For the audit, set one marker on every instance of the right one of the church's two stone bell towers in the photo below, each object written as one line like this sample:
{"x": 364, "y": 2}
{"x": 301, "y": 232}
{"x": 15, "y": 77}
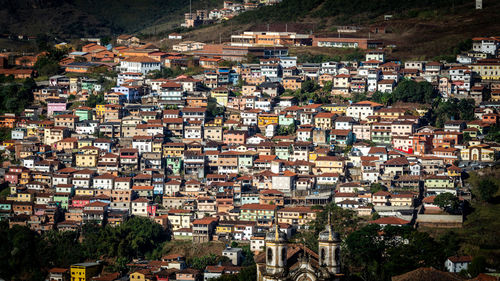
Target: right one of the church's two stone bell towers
{"x": 329, "y": 249}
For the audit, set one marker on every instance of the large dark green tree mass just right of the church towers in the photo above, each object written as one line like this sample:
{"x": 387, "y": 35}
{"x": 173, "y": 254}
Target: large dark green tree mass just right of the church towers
{"x": 373, "y": 254}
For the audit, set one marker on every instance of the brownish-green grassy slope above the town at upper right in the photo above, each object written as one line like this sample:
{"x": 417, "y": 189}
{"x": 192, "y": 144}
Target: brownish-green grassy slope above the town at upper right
{"x": 422, "y": 32}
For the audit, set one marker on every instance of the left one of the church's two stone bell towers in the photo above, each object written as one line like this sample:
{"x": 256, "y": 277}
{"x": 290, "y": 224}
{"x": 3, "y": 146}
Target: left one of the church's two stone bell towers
{"x": 275, "y": 253}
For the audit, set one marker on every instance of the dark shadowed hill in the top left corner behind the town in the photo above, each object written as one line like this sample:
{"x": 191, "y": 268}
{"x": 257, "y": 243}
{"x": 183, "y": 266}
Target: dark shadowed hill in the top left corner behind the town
{"x": 79, "y": 18}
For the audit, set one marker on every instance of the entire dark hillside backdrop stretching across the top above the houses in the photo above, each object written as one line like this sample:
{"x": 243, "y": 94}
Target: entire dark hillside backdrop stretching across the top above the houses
{"x": 420, "y": 29}
